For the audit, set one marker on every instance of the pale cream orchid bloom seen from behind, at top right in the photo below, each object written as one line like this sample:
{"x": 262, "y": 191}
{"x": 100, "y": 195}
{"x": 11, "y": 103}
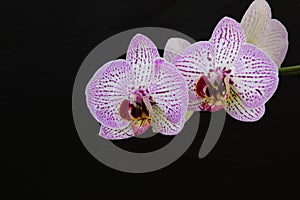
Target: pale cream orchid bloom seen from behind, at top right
{"x": 264, "y": 32}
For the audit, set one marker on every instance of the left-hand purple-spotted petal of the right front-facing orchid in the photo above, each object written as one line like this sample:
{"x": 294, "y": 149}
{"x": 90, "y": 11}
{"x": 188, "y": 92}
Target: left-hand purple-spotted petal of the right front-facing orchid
{"x": 193, "y": 62}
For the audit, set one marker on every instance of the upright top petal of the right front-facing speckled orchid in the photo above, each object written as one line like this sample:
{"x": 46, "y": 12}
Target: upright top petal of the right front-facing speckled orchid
{"x": 227, "y": 38}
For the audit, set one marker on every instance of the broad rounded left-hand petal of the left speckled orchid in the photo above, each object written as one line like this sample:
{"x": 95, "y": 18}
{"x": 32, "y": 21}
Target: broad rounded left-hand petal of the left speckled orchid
{"x": 109, "y": 86}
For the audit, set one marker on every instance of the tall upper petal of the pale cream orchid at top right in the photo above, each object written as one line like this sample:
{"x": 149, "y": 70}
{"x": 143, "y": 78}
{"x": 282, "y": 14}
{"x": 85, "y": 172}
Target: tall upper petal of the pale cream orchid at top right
{"x": 256, "y": 20}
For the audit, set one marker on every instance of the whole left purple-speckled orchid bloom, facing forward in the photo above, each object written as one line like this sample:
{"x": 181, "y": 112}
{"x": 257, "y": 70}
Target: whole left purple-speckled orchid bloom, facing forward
{"x": 128, "y": 96}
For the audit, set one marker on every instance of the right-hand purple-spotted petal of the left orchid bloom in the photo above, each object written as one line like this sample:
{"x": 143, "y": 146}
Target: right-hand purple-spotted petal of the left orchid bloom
{"x": 169, "y": 90}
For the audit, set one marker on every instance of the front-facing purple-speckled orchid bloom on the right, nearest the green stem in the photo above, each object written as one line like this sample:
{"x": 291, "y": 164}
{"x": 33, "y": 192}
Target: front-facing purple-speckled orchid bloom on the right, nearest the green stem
{"x": 226, "y": 72}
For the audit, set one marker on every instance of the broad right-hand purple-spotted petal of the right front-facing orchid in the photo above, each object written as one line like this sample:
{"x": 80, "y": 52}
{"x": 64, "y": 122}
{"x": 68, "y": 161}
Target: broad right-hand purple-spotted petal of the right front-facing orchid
{"x": 256, "y": 76}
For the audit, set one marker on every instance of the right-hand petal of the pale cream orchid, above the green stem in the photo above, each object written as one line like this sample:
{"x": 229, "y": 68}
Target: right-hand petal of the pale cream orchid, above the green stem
{"x": 274, "y": 41}
